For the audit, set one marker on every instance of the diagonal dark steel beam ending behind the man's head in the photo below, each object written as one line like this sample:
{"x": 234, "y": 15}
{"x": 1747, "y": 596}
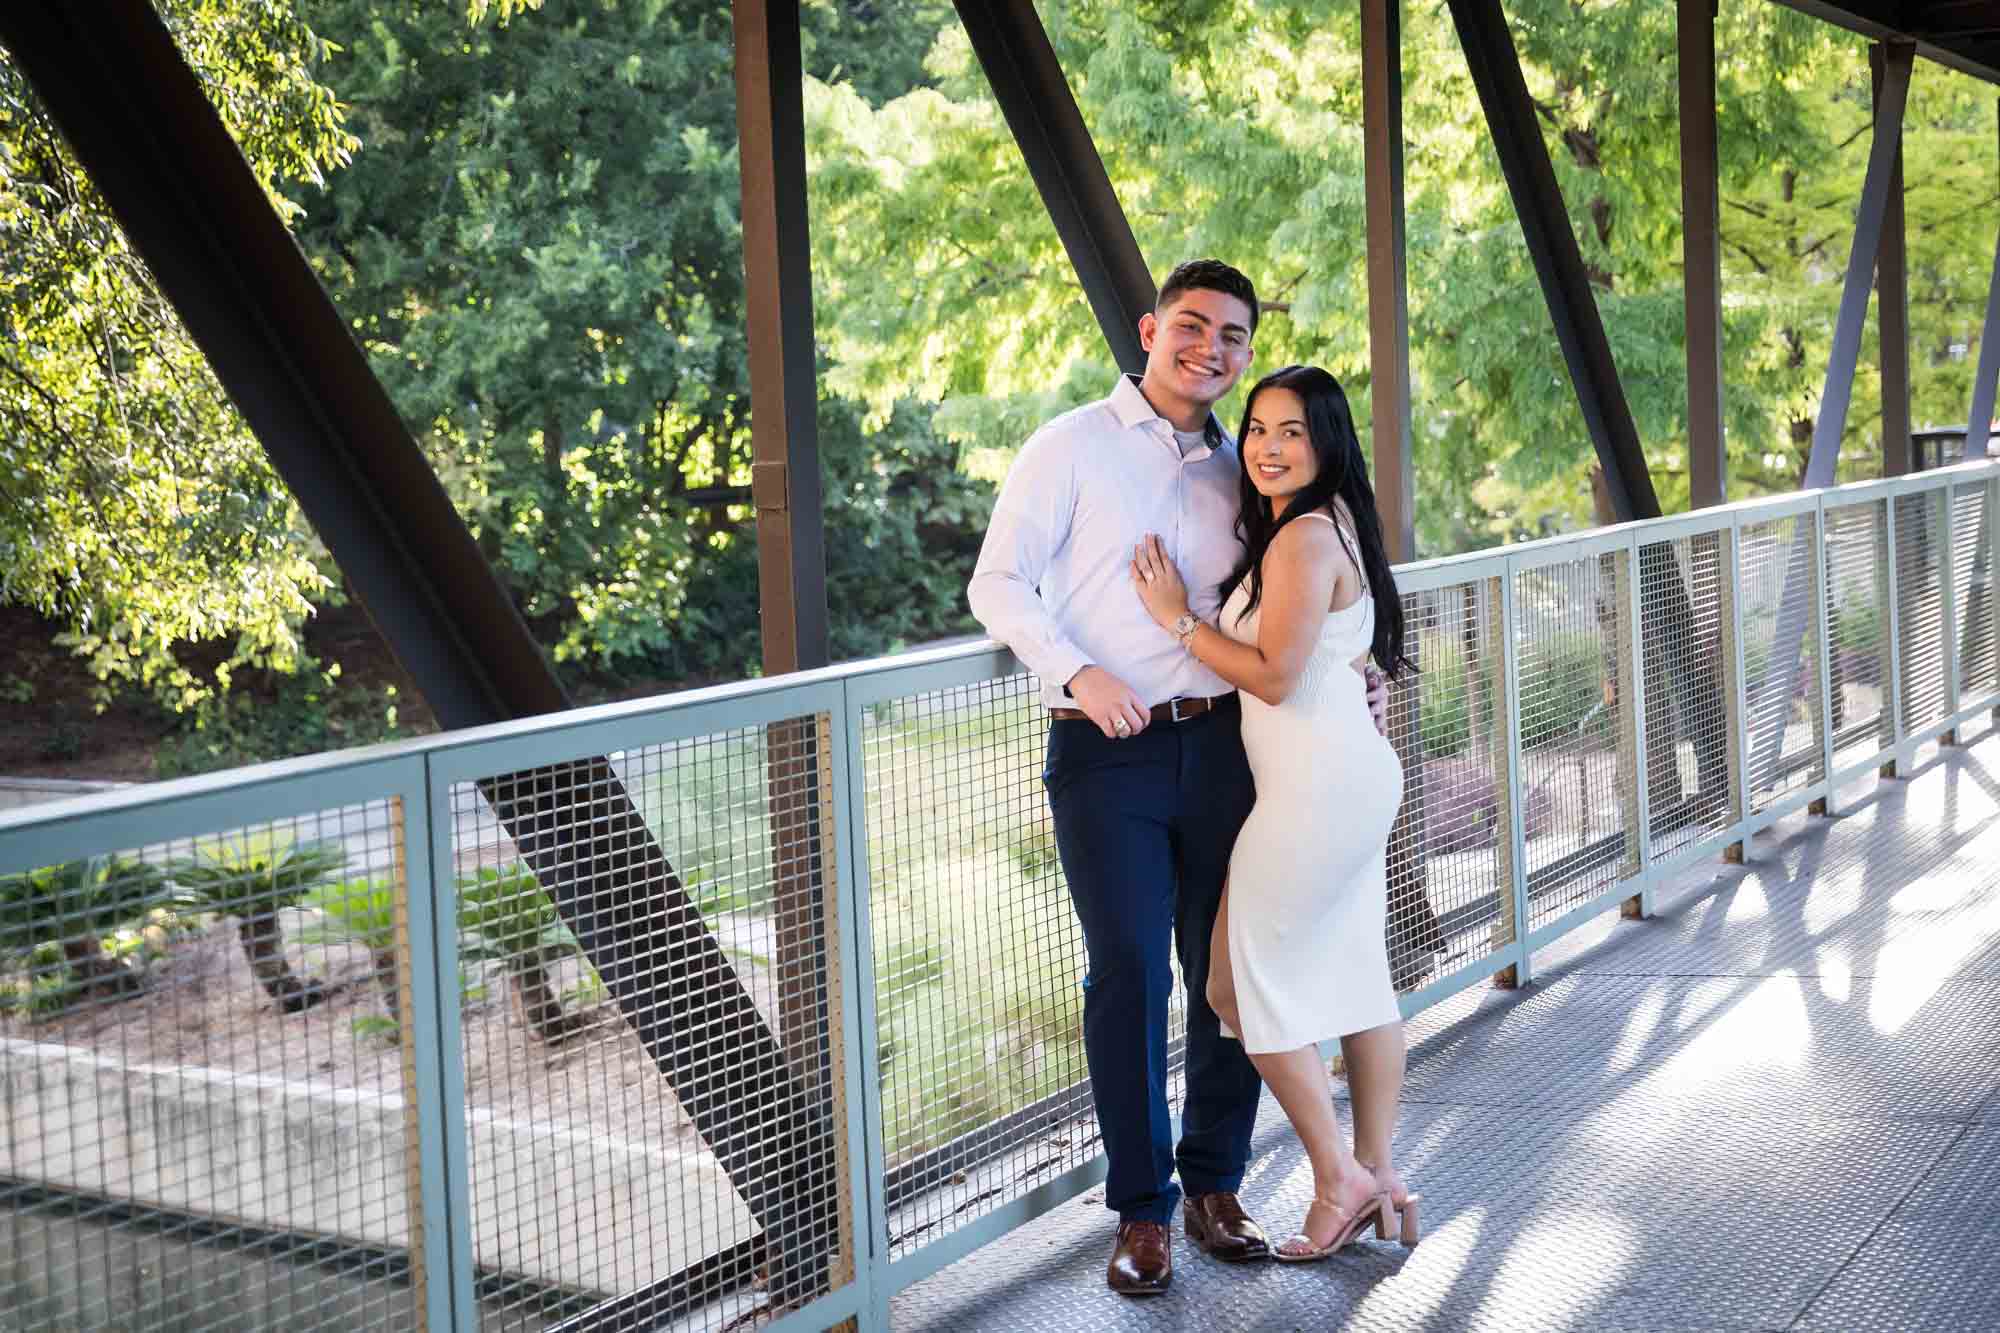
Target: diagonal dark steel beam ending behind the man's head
{"x": 1035, "y": 97}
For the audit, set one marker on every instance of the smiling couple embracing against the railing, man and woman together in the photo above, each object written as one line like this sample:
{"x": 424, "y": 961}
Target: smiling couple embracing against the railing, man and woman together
{"x": 1201, "y": 613}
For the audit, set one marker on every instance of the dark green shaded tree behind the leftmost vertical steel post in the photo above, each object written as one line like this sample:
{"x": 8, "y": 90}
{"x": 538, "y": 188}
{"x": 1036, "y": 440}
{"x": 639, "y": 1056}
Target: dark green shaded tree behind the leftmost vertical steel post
{"x": 539, "y": 245}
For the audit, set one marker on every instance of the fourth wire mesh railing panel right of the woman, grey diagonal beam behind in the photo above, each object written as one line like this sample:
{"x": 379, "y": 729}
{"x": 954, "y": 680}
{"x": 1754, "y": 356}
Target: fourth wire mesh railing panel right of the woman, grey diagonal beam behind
{"x": 1781, "y": 609}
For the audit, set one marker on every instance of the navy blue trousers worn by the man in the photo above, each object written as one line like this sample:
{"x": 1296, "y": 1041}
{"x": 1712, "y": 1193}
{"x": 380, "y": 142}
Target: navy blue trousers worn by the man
{"x": 1145, "y": 832}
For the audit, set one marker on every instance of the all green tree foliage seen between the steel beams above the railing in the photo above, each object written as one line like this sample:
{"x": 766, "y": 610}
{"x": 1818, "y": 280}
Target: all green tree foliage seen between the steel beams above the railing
{"x": 529, "y": 215}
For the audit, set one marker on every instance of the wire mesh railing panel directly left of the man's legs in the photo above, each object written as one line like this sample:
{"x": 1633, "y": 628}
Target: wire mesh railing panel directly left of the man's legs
{"x": 979, "y": 960}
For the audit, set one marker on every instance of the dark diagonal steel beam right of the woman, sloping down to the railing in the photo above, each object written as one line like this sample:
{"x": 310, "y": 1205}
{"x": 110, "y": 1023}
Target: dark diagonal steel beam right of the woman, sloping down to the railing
{"x": 1559, "y": 265}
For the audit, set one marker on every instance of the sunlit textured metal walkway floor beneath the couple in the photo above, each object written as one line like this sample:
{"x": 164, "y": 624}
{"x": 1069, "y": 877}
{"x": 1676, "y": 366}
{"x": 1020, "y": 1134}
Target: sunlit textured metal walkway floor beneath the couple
{"x": 1777, "y": 1106}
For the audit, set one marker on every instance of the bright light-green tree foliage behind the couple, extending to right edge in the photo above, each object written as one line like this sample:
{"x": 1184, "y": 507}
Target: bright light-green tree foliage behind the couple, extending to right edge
{"x": 1233, "y": 127}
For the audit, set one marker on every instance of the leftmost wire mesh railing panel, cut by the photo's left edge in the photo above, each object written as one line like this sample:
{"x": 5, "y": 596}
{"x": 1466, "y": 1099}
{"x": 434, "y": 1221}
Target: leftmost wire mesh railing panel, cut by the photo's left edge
{"x": 211, "y": 1116}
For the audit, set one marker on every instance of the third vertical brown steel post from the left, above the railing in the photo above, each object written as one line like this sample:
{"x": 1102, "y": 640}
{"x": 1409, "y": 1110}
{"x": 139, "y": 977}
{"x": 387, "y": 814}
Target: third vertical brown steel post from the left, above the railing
{"x": 1701, "y": 247}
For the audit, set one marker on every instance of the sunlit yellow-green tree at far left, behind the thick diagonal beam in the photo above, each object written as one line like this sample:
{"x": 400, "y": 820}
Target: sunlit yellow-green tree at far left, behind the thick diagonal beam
{"x": 135, "y": 507}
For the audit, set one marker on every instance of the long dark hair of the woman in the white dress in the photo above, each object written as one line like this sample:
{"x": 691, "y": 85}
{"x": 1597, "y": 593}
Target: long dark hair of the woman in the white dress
{"x": 1343, "y": 475}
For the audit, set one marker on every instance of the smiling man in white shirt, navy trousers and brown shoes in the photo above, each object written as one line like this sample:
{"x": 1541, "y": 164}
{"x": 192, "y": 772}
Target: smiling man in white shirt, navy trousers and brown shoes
{"x": 1147, "y": 776}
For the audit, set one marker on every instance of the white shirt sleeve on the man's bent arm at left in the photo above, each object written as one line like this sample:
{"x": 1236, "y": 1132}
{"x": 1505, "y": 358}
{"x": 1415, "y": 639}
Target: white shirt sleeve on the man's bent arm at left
{"x": 1029, "y": 527}
